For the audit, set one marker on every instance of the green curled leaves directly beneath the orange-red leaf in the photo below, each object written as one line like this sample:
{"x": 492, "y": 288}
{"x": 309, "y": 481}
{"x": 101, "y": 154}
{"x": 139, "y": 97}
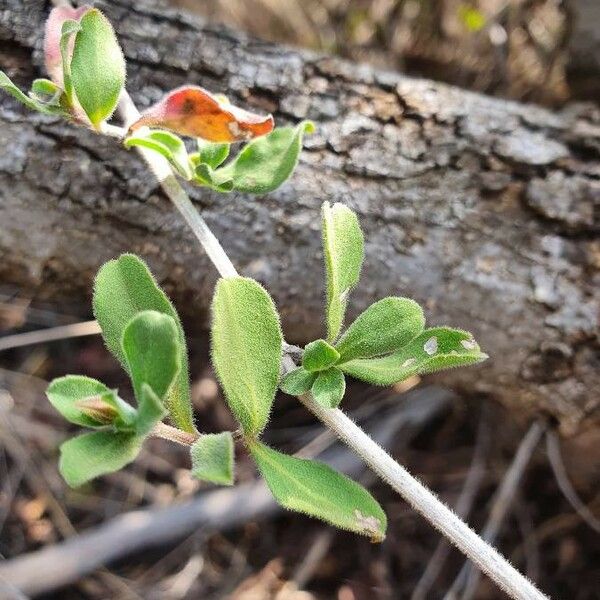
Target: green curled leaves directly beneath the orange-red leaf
{"x": 260, "y": 167}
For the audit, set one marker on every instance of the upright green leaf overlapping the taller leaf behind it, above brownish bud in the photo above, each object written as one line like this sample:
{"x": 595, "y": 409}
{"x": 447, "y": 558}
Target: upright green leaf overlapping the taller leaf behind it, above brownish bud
{"x": 151, "y": 347}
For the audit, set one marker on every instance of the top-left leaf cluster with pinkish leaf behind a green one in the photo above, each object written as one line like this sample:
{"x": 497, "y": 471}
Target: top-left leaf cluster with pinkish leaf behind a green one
{"x": 85, "y": 64}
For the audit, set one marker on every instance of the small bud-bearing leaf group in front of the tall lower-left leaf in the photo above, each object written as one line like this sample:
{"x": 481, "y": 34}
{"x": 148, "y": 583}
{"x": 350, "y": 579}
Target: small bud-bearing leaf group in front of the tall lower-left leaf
{"x": 149, "y": 345}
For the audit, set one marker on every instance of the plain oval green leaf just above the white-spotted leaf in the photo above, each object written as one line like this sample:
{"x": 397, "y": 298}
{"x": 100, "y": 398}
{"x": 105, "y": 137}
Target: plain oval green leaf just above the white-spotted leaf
{"x": 386, "y": 325}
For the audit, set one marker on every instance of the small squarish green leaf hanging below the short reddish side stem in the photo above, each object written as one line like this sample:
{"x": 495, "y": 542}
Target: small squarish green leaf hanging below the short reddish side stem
{"x": 212, "y": 458}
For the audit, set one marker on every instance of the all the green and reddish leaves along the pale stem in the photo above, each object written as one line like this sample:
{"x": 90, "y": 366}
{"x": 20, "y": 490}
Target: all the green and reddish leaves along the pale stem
{"x": 385, "y": 344}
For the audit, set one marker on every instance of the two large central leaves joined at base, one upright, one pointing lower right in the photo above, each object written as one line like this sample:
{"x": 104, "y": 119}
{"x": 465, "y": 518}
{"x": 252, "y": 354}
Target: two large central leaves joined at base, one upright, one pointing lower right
{"x": 246, "y": 353}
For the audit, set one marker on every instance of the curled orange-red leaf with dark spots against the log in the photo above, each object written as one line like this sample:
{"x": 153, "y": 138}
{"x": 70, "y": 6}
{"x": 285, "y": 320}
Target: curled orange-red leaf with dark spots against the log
{"x": 193, "y": 111}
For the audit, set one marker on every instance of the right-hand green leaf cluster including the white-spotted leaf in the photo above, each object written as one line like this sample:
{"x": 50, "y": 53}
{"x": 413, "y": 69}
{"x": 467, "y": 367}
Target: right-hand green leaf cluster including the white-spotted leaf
{"x": 386, "y": 344}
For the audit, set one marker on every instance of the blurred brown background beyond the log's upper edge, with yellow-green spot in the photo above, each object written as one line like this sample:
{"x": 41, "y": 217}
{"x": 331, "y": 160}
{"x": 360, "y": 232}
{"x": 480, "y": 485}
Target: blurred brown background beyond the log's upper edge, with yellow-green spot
{"x": 544, "y": 51}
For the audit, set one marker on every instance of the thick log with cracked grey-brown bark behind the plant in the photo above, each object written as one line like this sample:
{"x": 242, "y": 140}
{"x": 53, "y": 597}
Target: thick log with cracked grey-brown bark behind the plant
{"x": 485, "y": 211}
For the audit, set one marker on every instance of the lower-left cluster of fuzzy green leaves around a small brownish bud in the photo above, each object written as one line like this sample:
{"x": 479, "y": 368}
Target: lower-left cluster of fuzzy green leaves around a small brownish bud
{"x": 142, "y": 330}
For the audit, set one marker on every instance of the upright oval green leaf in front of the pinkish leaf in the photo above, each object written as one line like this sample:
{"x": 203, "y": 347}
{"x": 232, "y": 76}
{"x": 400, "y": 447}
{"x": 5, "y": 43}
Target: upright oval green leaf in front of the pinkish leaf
{"x": 97, "y": 67}
